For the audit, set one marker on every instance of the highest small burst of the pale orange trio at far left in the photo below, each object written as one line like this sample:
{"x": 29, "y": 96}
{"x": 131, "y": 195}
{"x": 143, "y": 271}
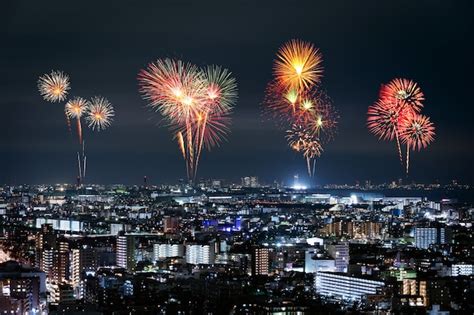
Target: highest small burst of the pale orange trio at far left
{"x": 54, "y": 87}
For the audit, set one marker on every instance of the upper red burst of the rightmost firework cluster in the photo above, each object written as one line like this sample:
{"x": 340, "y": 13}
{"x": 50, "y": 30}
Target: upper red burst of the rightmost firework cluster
{"x": 405, "y": 92}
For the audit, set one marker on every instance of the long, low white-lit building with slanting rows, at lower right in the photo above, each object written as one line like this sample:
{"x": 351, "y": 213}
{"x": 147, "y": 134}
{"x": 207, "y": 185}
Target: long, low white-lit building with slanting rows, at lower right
{"x": 346, "y": 287}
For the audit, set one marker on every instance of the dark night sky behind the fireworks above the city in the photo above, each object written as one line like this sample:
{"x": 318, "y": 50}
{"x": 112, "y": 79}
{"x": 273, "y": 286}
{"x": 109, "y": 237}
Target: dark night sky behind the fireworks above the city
{"x": 103, "y": 46}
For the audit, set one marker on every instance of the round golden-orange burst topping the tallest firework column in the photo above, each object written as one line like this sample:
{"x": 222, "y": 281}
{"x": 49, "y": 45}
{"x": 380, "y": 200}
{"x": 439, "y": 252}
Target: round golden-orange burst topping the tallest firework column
{"x": 298, "y": 65}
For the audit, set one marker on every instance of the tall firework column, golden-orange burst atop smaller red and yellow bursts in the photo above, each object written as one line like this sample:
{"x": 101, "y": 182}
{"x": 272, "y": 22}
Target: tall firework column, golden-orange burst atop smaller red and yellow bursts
{"x": 296, "y": 101}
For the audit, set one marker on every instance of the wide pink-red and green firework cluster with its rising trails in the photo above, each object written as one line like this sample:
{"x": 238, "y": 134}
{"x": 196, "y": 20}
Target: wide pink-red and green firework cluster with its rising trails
{"x": 195, "y": 103}
